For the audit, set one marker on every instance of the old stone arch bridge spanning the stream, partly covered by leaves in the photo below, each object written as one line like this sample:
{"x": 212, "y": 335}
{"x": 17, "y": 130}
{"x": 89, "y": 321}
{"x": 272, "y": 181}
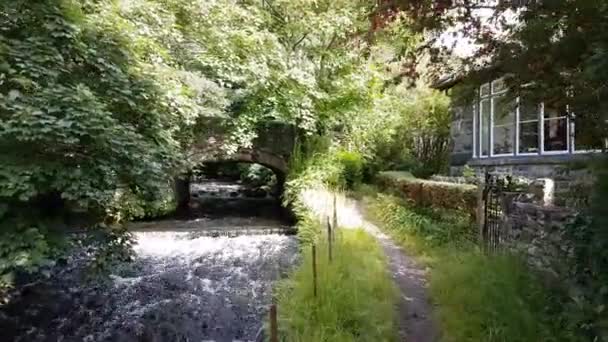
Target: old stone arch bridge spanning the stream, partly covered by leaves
{"x": 271, "y": 148}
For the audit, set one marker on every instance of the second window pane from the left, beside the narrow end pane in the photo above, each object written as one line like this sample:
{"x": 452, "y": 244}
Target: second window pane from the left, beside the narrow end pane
{"x": 504, "y": 126}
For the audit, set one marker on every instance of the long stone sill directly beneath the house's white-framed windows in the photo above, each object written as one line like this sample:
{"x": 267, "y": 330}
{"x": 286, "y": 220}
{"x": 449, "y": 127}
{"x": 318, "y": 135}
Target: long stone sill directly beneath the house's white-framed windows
{"x": 531, "y": 160}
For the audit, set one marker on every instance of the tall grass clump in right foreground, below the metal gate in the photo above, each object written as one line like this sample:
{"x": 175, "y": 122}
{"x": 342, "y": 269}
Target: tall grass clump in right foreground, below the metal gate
{"x": 492, "y": 298}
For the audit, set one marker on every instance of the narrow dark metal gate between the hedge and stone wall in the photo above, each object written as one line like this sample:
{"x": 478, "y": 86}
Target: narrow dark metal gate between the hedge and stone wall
{"x": 493, "y": 211}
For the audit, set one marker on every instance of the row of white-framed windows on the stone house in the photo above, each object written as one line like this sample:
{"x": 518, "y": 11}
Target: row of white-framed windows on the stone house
{"x": 522, "y": 127}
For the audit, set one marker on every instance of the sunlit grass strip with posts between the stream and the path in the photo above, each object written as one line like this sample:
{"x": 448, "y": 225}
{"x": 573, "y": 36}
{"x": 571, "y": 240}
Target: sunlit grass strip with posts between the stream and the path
{"x": 356, "y": 296}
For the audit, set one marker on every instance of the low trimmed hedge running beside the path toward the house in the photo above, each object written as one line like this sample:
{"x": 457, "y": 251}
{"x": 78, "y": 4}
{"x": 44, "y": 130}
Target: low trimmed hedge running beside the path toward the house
{"x": 428, "y": 193}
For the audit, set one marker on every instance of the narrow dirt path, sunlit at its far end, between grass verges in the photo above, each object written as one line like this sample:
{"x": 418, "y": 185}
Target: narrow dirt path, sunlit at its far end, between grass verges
{"x": 416, "y": 311}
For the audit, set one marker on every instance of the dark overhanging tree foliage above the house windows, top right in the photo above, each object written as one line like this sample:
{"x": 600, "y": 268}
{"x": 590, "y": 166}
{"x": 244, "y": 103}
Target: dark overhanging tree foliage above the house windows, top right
{"x": 554, "y": 51}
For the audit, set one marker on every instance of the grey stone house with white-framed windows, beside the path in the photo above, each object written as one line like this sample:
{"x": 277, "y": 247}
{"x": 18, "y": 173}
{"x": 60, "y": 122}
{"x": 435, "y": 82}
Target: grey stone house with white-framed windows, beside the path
{"x": 520, "y": 138}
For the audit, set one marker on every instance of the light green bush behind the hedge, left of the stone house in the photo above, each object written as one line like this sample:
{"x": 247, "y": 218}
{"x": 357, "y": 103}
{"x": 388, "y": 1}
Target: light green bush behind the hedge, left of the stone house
{"x": 406, "y": 129}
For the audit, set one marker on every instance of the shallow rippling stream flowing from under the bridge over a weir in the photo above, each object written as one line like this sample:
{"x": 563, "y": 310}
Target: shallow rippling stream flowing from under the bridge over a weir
{"x": 184, "y": 284}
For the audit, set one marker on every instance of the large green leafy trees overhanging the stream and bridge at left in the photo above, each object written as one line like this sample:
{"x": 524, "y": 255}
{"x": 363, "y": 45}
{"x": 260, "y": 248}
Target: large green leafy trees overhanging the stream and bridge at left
{"x": 100, "y": 100}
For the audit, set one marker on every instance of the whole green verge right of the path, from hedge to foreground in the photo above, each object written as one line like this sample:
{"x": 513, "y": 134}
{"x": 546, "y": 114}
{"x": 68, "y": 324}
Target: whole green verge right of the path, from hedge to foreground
{"x": 480, "y": 297}
